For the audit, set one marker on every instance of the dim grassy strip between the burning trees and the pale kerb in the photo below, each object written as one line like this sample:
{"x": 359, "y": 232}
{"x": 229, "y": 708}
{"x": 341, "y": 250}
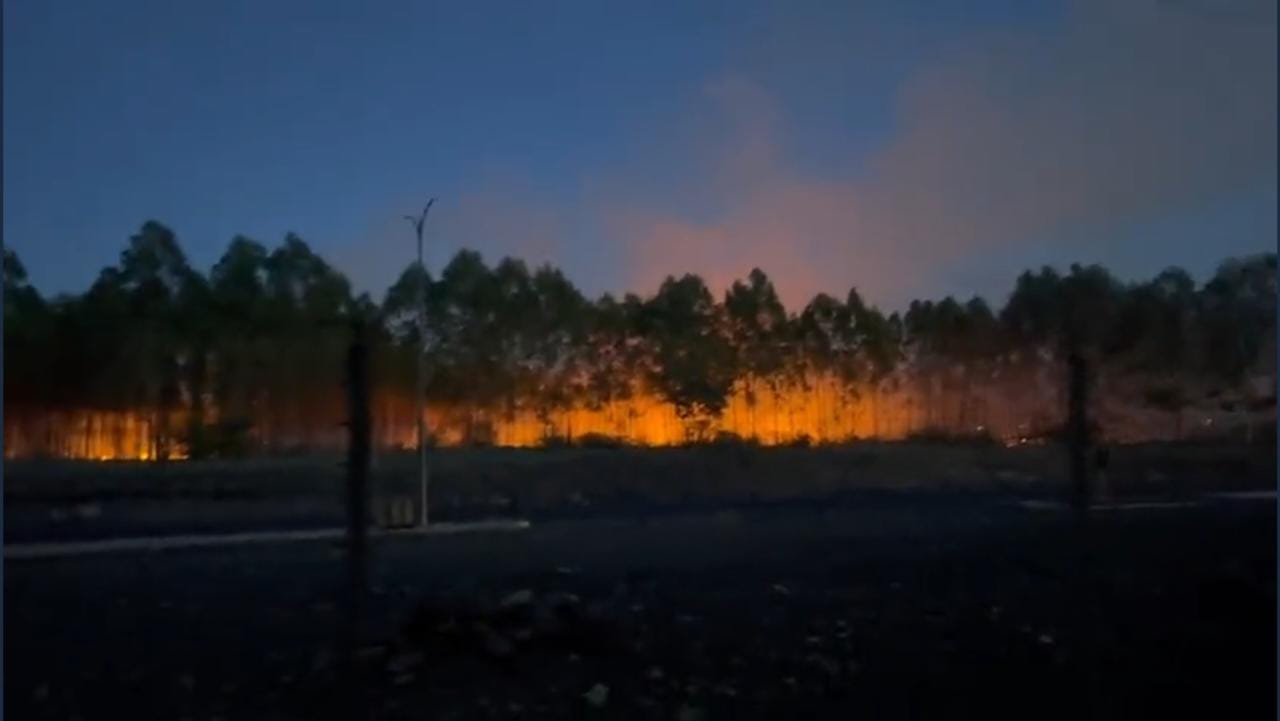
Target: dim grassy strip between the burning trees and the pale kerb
{"x": 77, "y": 501}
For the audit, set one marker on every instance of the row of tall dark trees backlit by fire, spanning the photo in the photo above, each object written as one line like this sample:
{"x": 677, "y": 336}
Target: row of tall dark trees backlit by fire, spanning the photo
{"x": 248, "y": 358}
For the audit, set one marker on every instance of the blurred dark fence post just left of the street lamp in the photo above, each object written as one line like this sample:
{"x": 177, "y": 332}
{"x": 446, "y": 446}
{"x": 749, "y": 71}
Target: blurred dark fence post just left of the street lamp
{"x": 358, "y": 492}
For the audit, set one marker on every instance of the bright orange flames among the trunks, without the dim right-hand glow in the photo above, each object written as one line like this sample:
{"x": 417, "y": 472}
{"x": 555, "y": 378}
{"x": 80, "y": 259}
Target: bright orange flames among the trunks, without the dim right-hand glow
{"x": 819, "y": 414}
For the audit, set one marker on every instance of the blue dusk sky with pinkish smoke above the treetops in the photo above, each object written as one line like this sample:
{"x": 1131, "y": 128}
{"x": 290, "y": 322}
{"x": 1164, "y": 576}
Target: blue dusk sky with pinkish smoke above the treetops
{"x": 908, "y": 149}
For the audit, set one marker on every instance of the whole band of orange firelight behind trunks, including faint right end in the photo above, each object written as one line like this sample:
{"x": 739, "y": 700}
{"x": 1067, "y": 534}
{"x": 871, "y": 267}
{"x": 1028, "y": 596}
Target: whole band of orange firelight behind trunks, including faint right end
{"x": 1020, "y": 410}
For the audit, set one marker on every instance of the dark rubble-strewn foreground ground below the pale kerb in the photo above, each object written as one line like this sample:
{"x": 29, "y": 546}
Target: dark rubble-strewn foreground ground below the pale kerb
{"x": 909, "y": 606}
